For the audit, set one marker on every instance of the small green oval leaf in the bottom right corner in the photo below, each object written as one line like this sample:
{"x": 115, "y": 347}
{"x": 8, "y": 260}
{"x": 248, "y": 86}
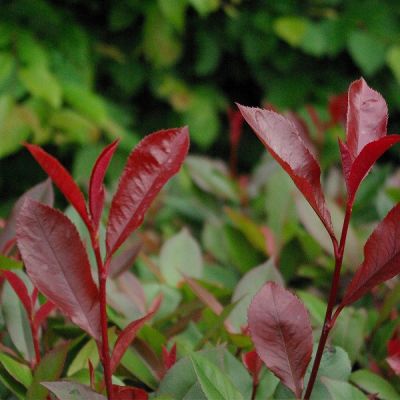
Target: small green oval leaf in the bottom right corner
{"x": 374, "y": 384}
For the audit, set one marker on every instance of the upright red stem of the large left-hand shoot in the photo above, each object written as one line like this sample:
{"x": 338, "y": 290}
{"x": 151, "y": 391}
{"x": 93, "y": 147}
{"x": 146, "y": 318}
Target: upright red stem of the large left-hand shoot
{"x": 105, "y": 348}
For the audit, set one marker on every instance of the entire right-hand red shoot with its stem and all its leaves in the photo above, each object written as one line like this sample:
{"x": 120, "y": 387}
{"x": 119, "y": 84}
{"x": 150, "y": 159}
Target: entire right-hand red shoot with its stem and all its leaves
{"x": 278, "y": 321}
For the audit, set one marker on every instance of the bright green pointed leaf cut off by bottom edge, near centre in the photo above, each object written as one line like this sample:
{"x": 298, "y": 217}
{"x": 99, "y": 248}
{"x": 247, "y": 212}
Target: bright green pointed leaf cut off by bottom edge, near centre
{"x": 215, "y": 384}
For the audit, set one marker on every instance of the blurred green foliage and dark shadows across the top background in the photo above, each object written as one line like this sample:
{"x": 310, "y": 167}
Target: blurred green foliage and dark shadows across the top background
{"x": 77, "y": 74}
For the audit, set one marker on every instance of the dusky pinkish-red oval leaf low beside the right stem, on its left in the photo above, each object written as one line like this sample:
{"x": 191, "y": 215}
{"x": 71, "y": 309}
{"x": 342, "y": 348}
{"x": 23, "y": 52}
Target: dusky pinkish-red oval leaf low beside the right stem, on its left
{"x": 281, "y": 331}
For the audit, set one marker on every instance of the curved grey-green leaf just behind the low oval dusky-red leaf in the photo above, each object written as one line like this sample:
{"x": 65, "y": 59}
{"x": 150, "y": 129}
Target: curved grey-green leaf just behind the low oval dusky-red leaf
{"x": 248, "y": 286}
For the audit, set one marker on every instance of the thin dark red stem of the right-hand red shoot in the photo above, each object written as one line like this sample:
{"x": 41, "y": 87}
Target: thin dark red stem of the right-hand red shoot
{"x": 329, "y": 322}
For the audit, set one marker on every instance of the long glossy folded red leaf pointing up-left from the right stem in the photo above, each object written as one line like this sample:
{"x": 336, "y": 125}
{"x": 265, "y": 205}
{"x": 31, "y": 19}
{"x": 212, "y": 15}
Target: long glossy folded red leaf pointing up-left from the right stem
{"x": 282, "y": 140}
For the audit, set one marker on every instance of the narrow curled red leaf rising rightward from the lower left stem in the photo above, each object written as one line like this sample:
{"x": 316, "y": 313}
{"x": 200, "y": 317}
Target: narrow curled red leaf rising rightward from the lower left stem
{"x": 126, "y": 337}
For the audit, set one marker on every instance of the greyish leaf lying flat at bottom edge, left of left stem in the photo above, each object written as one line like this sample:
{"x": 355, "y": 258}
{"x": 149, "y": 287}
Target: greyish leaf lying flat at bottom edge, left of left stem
{"x": 66, "y": 390}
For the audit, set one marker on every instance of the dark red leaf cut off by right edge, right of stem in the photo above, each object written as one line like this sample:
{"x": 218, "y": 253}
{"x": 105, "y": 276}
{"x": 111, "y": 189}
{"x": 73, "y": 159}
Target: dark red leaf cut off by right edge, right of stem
{"x": 381, "y": 258}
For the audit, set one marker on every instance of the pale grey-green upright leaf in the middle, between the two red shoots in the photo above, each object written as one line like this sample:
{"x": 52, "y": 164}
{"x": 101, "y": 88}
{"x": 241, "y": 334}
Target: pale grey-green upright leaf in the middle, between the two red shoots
{"x": 181, "y": 254}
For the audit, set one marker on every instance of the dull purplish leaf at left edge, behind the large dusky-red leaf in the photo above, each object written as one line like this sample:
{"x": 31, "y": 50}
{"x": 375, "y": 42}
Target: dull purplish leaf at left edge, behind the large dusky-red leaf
{"x": 42, "y": 192}
